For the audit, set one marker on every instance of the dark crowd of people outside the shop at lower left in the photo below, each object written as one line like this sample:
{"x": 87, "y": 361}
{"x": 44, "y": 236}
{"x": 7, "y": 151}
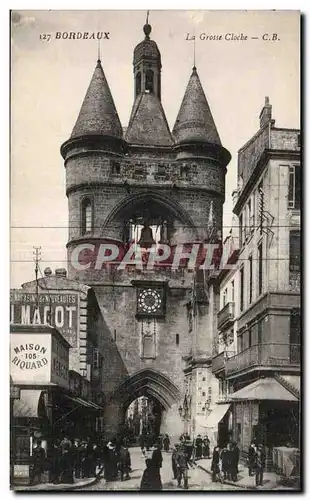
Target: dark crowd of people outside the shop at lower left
{"x": 65, "y": 460}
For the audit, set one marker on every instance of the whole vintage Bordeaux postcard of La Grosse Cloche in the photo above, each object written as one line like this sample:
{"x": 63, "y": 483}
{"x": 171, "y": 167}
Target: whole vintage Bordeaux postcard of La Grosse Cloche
{"x": 155, "y": 250}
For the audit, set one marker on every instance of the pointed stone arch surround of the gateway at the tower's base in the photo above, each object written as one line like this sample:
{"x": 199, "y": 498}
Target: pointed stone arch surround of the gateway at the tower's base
{"x": 151, "y": 383}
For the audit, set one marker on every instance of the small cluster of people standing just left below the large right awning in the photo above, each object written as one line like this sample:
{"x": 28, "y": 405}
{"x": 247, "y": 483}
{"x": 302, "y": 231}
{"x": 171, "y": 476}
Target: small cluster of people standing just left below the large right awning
{"x": 225, "y": 462}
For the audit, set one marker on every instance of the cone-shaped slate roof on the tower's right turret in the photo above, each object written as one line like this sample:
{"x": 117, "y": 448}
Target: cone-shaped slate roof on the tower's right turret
{"x": 194, "y": 122}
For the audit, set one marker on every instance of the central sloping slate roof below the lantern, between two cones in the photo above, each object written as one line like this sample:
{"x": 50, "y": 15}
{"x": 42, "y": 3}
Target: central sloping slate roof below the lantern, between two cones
{"x": 148, "y": 124}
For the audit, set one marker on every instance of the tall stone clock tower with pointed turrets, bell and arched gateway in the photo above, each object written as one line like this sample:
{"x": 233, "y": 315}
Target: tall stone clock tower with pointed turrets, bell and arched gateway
{"x": 144, "y": 187}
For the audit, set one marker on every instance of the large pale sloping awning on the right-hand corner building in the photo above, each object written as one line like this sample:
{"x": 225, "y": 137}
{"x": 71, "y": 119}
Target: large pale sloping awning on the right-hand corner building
{"x": 264, "y": 389}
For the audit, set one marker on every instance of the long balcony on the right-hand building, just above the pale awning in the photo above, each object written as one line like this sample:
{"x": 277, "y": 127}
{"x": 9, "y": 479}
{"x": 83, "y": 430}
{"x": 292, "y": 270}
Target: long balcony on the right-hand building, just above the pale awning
{"x": 269, "y": 355}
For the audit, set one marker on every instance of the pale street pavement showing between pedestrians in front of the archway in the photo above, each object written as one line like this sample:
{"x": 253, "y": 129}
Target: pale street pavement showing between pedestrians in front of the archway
{"x": 198, "y": 479}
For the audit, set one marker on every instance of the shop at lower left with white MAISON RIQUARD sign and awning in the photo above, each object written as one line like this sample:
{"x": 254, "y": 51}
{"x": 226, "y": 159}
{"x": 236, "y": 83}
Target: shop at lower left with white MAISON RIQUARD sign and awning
{"x": 46, "y": 409}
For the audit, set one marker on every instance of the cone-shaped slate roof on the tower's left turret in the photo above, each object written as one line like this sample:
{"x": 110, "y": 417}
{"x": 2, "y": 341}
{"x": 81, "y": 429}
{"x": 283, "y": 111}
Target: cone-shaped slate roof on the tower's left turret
{"x": 98, "y": 114}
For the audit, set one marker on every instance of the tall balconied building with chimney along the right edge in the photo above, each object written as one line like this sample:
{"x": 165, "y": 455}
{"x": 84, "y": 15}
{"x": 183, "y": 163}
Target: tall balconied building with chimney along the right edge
{"x": 260, "y": 299}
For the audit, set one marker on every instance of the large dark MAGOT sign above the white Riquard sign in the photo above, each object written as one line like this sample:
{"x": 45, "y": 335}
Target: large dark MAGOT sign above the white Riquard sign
{"x": 60, "y": 310}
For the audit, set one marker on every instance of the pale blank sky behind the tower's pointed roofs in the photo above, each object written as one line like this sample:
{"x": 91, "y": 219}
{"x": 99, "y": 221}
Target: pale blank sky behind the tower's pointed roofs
{"x": 50, "y": 79}
